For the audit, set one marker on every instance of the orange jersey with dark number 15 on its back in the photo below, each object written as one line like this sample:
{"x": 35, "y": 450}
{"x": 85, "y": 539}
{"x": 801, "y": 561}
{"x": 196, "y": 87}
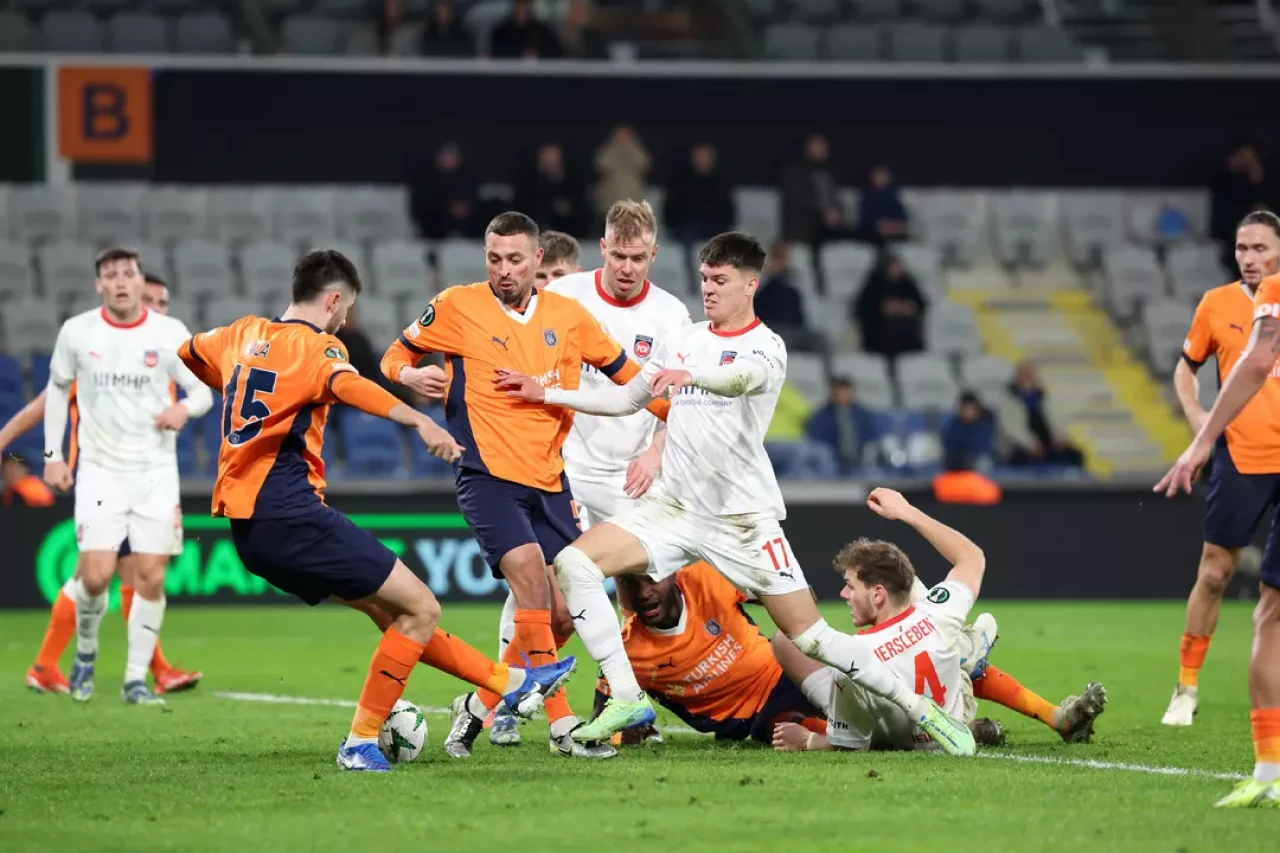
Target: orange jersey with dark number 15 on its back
{"x": 277, "y": 380}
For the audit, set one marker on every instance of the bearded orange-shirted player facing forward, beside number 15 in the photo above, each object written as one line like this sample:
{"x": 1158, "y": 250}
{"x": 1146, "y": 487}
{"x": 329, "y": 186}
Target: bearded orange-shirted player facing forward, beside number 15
{"x": 511, "y": 480}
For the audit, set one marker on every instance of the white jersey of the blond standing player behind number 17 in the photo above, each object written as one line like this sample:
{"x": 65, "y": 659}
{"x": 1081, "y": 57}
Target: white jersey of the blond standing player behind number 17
{"x": 600, "y": 449}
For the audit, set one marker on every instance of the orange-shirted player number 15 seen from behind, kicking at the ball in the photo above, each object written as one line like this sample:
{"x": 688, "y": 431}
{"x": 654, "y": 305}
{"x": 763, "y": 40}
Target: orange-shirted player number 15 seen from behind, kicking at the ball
{"x": 280, "y": 378}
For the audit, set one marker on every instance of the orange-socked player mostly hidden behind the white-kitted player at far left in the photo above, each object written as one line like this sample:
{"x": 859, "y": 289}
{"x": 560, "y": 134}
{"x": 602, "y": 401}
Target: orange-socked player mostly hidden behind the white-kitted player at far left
{"x": 44, "y": 676}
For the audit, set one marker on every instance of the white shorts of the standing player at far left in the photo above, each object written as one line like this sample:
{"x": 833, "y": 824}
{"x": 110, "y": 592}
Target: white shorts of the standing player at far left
{"x": 144, "y": 509}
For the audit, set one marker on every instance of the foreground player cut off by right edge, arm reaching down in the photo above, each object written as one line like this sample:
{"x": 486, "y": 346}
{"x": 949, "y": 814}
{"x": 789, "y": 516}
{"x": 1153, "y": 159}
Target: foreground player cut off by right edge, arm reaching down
{"x": 1252, "y": 372}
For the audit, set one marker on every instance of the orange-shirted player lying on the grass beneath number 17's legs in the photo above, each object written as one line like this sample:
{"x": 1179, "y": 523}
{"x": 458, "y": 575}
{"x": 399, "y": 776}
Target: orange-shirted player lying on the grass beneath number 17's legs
{"x": 700, "y": 655}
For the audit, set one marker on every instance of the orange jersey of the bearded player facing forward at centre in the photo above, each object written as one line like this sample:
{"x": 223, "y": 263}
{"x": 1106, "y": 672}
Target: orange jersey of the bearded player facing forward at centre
{"x": 504, "y": 437}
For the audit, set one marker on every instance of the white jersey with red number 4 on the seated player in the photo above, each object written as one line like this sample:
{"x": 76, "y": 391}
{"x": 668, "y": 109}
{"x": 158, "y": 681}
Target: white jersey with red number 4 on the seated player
{"x": 921, "y": 646}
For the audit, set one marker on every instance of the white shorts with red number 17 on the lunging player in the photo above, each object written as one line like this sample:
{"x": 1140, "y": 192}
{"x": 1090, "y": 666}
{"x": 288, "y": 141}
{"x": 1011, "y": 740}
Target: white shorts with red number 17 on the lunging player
{"x": 749, "y": 550}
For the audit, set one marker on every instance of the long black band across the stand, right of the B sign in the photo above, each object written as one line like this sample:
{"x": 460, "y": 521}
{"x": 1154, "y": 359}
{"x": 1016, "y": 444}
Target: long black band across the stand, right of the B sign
{"x": 1091, "y": 131}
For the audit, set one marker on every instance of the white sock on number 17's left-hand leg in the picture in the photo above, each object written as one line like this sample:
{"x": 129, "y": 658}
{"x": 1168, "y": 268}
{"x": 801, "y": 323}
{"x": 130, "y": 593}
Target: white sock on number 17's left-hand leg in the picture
{"x": 596, "y": 622}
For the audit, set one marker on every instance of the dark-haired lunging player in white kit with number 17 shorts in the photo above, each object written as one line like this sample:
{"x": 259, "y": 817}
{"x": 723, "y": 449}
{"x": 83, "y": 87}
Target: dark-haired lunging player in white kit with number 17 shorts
{"x": 717, "y": 500}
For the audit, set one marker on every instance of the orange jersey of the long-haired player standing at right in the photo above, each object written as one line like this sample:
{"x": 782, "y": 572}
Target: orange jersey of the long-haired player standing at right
{"x": 1222, "y": 329}
